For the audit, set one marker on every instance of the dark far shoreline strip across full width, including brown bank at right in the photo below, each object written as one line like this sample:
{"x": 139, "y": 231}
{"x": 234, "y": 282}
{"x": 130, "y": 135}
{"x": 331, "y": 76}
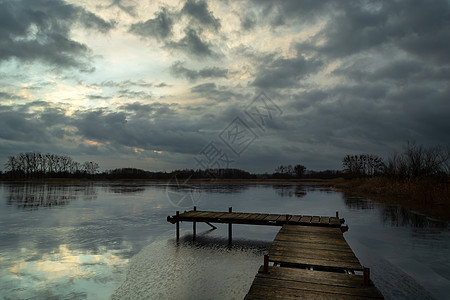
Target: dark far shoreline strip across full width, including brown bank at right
{"x": 424, "y": 196}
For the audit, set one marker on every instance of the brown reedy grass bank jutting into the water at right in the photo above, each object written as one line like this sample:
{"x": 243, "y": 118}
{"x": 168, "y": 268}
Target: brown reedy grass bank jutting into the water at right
{"x": 428, "y": 196}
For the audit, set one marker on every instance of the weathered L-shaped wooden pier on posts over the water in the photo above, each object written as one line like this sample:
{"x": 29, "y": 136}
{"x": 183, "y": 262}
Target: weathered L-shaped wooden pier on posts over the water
{"x": 310, "y": 257}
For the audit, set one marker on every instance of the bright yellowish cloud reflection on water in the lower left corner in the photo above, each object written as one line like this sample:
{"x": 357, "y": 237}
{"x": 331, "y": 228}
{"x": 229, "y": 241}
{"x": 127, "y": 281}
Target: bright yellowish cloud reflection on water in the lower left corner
{"x": 63, "y": 268}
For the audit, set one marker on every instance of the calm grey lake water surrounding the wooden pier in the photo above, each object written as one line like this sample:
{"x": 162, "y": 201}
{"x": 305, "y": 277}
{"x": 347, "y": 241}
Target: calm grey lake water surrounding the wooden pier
{"x": 106, "y": 240}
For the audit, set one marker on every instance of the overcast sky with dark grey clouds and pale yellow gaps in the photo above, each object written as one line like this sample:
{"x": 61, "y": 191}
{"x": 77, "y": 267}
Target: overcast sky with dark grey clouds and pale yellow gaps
{"x": 164, "y": 85}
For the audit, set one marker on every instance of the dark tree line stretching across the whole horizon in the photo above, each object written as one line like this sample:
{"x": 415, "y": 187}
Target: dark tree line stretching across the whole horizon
{"x": 416, "y": 161}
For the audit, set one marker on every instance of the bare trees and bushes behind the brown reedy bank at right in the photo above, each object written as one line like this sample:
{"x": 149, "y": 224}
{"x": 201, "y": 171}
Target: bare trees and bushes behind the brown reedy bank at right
{"x": 416, "y": 161}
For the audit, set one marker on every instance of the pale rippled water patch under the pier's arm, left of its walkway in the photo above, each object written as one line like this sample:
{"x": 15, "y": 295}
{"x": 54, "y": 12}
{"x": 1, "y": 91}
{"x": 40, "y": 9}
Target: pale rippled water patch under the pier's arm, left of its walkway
{"x": 205, "y": 269}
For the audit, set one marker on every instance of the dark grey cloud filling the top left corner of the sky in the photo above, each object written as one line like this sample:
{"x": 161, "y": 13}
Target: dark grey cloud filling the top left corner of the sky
{"x": 40, "y": 30}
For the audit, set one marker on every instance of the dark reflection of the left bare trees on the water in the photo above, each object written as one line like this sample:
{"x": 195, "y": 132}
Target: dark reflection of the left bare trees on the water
{"x": 31, "y": 196}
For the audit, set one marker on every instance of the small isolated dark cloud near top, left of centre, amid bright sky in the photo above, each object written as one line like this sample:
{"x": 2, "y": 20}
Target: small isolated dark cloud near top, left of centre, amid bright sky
{"x": 160, "y": 27}
